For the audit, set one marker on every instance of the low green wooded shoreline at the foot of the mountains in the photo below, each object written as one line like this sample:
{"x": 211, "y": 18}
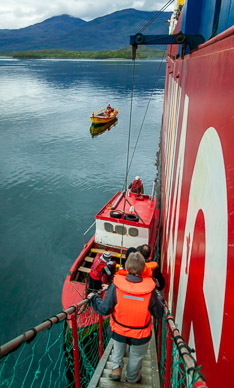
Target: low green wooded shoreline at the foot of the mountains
{"x": 125, "y": 53}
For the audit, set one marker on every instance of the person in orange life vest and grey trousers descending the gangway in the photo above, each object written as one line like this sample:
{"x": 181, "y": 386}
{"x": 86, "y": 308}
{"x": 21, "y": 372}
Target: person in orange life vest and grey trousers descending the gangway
{"x": 131, "y": 300}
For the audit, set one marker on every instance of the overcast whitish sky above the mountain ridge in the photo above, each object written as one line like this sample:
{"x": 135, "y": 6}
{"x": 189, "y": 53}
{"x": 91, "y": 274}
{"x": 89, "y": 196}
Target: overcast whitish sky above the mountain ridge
{"x": 22, "y": 13}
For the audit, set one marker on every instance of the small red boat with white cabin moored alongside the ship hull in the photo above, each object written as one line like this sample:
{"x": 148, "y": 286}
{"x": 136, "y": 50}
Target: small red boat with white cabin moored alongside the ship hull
{"x": 127, "y": 220}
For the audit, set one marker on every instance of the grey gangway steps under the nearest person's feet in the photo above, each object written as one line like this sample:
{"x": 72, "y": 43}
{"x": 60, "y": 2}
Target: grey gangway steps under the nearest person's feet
{"x": 149, "y": 372}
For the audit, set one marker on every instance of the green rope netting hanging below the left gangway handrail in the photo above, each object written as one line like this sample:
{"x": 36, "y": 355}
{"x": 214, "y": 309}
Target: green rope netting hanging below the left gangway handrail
{"x": 48, "y": 360}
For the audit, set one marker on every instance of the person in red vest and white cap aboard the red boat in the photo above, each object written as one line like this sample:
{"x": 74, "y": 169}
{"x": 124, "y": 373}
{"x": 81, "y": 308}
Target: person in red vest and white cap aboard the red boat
{"x": 101, "y": 267}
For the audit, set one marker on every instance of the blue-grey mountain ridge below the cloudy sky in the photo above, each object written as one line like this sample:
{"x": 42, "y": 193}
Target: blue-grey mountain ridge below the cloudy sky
{"x": 108, "y": 32}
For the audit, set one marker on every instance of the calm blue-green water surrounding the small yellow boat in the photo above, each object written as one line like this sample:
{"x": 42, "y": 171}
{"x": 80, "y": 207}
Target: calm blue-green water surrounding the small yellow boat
{"x": 54, "y": 176}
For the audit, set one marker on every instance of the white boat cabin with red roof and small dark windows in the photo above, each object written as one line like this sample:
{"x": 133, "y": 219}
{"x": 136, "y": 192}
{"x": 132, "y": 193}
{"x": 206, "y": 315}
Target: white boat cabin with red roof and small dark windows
{"x": 127, "y": 222}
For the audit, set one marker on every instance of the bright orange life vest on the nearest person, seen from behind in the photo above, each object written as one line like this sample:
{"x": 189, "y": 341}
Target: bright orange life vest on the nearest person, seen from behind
{"x": 131, "y": 317}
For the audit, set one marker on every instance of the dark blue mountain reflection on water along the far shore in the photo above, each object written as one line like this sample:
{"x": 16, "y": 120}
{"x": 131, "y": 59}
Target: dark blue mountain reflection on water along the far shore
{"x": 98, "y": 74}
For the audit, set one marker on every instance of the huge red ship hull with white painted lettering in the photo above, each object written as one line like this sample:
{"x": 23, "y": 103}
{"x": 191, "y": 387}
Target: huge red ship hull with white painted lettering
{"x": 198, "y": 202}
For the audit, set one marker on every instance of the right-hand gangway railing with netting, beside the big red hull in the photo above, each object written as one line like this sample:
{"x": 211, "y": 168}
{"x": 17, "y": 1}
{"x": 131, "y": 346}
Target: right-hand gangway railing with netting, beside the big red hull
{"x": 177, "y": 365}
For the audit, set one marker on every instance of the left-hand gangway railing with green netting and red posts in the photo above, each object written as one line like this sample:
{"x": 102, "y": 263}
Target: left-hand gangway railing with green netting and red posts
{"x": 62, "y": 351}
